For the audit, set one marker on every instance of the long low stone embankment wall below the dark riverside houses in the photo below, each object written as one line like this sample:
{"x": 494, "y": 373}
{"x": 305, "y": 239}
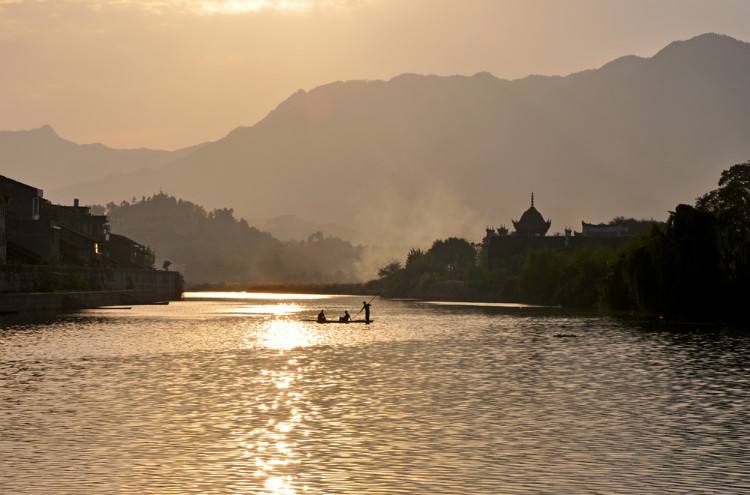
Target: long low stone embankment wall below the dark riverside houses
{"x": 26, "y": 288}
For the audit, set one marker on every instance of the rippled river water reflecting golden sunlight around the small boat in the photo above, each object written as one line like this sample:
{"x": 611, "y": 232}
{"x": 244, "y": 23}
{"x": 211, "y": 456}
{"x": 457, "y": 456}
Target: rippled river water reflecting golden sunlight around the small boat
{"x": 237, "y": 395}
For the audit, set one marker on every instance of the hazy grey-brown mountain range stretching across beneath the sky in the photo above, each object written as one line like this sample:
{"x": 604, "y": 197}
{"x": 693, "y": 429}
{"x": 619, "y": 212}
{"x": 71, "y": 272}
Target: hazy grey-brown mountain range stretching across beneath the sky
{"x": 416, "y": 157}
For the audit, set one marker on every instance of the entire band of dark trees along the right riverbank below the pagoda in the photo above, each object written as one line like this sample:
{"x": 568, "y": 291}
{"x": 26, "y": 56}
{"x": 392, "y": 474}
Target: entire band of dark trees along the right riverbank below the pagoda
{"x": 695, "y": 265}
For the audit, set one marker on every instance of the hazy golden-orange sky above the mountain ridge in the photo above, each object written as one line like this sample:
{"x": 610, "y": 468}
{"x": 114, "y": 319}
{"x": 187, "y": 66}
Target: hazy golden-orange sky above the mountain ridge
{"x": 169, "y": 73}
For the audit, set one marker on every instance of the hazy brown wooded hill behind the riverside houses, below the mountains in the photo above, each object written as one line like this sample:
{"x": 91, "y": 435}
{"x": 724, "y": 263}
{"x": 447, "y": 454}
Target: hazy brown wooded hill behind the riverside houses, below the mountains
{"x": 216, "y": 247}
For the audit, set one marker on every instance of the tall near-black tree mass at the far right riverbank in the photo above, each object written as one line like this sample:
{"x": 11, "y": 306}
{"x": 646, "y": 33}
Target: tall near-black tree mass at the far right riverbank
{"x": 699, "y": 264}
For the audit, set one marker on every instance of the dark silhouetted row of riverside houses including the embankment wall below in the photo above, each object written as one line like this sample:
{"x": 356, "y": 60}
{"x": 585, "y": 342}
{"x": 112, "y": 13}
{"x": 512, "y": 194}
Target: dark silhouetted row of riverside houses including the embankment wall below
{"x": 57, "y": 257}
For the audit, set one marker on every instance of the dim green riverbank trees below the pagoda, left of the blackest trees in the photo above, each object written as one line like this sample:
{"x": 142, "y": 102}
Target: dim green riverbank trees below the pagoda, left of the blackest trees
{"x": 455, "y": 268}
